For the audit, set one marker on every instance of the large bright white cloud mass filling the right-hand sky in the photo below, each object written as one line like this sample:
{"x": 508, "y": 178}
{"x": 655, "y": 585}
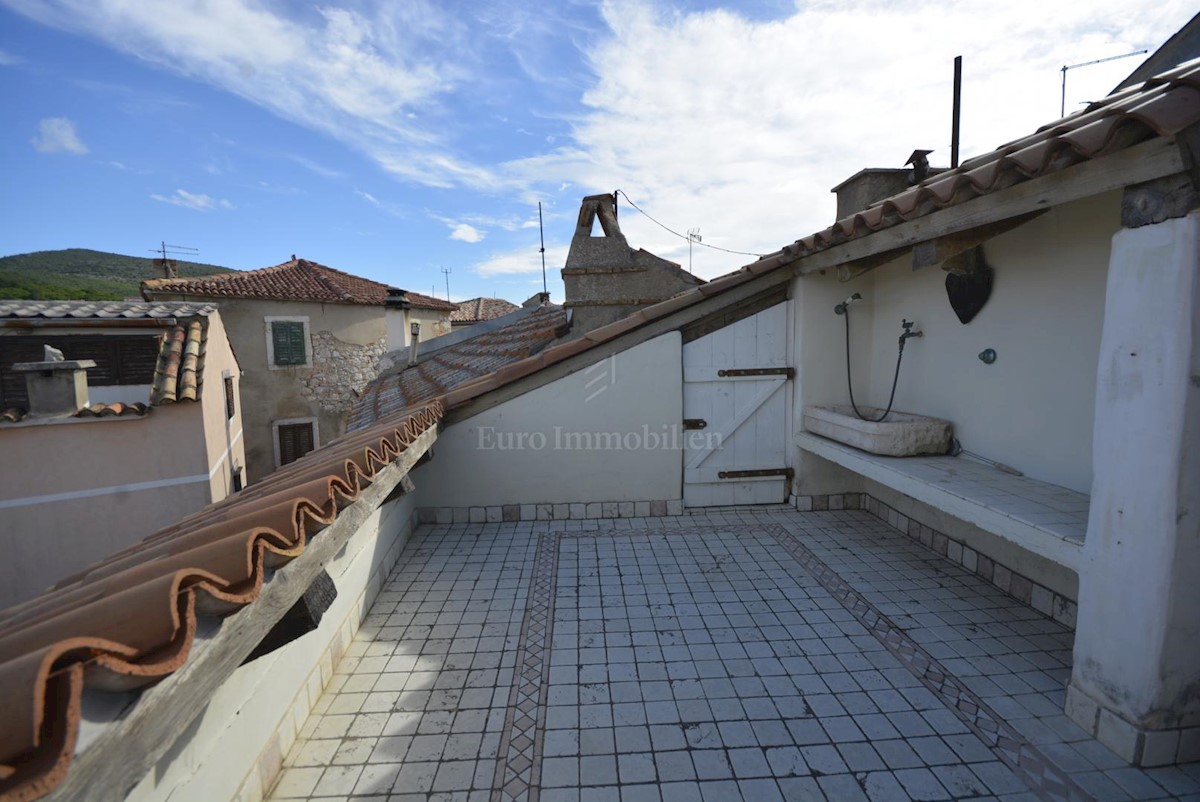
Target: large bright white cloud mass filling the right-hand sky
{"x": 741, "y": 128}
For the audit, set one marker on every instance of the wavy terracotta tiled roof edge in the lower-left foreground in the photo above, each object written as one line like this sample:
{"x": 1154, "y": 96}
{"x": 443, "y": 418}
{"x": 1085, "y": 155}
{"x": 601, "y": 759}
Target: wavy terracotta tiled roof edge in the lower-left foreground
{"x": 131, "y": 620}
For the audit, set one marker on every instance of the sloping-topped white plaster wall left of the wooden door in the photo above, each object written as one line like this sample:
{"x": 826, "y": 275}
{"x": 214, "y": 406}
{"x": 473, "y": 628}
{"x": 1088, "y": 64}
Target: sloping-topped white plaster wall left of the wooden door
{"x": 643, "y": 388}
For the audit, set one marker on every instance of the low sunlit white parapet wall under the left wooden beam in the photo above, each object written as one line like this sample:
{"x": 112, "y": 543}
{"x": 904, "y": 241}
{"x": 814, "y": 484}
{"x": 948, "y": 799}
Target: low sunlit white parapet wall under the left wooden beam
{"x": 215, "y": 755}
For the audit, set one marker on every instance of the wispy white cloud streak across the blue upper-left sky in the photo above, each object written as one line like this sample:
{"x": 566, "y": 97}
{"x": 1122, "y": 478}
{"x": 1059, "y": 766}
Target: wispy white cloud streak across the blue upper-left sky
{"x": 359, "y": 76}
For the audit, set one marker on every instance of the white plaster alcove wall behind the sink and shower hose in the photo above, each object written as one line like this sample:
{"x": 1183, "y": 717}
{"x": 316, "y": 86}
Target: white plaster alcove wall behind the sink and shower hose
{"x": 1034, "y": 408}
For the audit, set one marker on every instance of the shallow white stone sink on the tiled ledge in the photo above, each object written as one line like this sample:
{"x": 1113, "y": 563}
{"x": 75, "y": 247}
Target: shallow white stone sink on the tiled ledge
{"x": 901, "y": 435}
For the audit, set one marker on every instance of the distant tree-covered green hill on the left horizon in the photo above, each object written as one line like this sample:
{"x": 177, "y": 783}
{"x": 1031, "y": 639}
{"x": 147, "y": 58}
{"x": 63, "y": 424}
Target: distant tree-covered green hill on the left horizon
{"x": 80, "y": 274}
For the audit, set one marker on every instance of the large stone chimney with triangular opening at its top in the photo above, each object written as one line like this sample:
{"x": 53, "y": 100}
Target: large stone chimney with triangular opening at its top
{"x": 608, "y": 280}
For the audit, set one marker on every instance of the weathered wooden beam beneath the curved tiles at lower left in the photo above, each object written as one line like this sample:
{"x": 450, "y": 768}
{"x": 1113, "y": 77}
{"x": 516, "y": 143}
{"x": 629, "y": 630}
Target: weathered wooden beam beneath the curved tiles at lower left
{"x": 128, "y": 749}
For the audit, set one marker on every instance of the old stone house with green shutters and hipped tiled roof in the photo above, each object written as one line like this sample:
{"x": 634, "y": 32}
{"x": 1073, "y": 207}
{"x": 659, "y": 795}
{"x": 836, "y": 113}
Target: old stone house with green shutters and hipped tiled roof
{"x": 309, "y": 339}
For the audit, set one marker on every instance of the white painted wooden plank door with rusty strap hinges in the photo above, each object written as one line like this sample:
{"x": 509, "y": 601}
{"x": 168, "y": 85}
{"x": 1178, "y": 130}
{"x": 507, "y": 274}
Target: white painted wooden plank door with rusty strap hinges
{"x": 735, "y": 381}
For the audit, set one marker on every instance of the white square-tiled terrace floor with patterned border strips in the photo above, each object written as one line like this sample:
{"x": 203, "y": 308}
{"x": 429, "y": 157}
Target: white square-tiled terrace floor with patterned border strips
{"x": 752, "y": 655}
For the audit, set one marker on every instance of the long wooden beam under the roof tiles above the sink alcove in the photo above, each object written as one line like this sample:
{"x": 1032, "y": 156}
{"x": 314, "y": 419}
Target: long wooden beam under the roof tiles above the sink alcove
{"x": 1143, "y": 163}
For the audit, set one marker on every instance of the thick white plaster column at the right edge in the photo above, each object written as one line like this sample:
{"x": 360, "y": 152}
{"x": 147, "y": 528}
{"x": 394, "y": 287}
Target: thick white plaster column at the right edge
{"x": 1137, "y": 671}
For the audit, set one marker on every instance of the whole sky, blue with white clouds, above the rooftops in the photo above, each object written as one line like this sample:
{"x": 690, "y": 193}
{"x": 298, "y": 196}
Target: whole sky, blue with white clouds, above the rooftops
{"x": 392, "y": 140}
